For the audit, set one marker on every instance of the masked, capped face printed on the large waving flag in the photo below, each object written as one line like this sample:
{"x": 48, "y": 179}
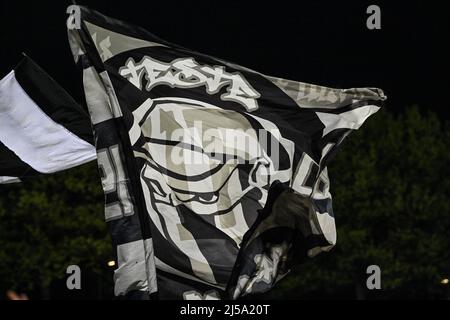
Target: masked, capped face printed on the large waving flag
{"x": 211, "y": 174}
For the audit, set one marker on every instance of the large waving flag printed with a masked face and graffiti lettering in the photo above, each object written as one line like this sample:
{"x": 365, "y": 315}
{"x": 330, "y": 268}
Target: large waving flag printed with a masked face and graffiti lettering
{"x": 215, "y": 175}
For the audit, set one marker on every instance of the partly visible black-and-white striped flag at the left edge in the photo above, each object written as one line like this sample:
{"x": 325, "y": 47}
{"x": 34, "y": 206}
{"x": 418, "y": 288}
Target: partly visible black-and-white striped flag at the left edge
{"x": 42, "y": 129}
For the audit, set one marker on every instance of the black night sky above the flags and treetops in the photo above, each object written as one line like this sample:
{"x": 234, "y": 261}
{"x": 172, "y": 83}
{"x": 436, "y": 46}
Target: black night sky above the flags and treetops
{"x": 321, "y": 42}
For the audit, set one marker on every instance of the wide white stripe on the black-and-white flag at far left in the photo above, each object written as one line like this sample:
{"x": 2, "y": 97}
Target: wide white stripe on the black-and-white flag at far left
{"x": 33, "y": 136}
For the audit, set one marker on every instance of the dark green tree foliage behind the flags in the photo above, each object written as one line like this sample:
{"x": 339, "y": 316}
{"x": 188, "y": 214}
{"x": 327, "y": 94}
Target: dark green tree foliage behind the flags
{"x": 390, "y": 183}
